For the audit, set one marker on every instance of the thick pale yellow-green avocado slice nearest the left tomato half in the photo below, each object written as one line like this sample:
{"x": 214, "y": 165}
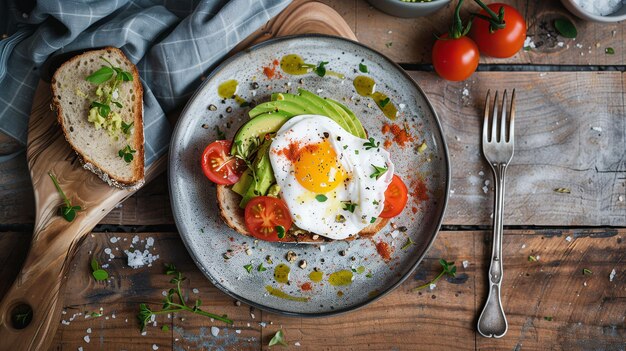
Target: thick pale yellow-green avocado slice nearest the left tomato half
{"x": 257, "y": 127}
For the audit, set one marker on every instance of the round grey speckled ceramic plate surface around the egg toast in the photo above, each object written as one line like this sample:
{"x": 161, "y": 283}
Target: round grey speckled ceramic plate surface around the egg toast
{"x": 209, "y": 240}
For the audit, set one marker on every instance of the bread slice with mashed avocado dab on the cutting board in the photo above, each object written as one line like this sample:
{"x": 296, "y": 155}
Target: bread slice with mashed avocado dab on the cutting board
{"x": 97, "y": 150}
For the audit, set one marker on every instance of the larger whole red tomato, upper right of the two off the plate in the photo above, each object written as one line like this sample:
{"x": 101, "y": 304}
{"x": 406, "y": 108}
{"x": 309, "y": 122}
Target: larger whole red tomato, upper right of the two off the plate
{"x": 504, "y": 42}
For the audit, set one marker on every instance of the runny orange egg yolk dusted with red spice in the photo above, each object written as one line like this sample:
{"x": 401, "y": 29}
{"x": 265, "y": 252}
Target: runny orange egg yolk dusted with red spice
{"x": 317, "y": 168}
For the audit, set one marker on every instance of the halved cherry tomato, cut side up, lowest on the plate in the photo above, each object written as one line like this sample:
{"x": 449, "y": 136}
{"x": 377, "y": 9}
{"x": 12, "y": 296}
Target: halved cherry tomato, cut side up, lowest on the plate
{"x": 263, "y": 214}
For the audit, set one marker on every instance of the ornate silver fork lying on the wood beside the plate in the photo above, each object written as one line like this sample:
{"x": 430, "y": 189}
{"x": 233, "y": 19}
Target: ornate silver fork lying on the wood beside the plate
{"x": 498, "y": 151}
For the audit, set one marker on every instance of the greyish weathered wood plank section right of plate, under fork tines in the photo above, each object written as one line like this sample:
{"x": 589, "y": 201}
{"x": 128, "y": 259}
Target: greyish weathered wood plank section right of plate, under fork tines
{"x": 570, "y": 133}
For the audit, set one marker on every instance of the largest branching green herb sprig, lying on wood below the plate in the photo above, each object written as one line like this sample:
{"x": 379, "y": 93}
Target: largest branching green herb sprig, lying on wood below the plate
{"x": 170, "y": 305}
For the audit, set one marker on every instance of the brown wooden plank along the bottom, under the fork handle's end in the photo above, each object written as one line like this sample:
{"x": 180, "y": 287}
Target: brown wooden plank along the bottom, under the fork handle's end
{"x": 444, "y": 318}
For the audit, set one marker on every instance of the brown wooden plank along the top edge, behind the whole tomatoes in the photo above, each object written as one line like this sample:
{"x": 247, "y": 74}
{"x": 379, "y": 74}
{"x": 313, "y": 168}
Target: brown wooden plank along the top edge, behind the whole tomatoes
{"x": 412, "y": 38}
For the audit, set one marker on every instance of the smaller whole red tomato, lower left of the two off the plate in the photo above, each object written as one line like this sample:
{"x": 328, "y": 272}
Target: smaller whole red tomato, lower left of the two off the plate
{"x": 455, "y": 59}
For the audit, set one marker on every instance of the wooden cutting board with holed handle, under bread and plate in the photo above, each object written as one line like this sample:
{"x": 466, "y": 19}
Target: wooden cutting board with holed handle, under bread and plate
{"x": 55, "y": 242}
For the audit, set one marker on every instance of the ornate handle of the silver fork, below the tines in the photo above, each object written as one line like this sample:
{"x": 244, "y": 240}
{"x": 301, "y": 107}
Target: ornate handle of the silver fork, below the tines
{"x": 492, "y": 321}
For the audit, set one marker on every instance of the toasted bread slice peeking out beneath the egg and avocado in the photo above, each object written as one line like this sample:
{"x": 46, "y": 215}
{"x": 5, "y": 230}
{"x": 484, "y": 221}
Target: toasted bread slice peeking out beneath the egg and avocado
{"x": 233, "y": 216}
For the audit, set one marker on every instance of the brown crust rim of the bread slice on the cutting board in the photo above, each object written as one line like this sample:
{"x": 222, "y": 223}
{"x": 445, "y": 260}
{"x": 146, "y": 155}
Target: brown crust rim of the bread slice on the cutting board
{"x": 137, "y": 179}
